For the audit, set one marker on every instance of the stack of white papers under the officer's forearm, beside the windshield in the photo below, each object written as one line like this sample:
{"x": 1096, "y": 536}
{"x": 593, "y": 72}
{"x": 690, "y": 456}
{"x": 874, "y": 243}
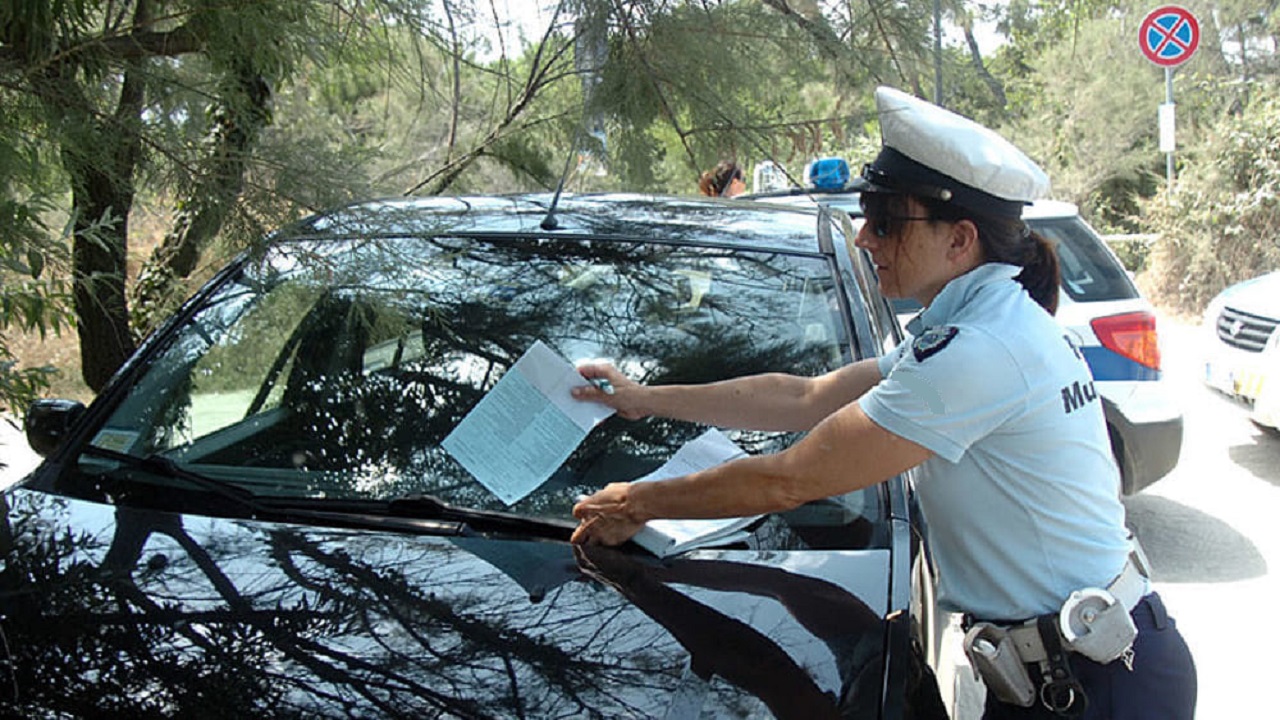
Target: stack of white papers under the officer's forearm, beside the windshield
{"x": 670, "y": 537}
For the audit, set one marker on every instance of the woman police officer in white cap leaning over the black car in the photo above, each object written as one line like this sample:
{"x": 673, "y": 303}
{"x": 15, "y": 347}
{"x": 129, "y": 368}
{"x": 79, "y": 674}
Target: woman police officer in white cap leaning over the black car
{"x": 994, "y": 405}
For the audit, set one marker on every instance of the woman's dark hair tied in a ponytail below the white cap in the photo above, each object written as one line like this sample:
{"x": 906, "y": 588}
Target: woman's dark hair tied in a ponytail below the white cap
{"x": 1004, "y": 240}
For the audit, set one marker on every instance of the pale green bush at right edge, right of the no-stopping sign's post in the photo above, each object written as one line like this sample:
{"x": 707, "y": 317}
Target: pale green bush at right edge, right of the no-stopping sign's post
{"x": 1223, "y": 222}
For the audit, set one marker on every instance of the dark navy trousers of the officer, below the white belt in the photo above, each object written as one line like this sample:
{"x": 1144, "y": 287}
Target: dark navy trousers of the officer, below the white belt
{"x": 1160, "y": 687}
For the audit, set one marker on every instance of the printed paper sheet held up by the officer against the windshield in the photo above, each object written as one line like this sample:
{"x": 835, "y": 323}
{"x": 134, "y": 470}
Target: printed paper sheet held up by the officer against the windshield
{"x": 524, "y": 429}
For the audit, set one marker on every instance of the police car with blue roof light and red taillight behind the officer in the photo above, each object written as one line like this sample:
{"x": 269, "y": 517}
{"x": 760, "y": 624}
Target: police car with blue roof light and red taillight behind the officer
{"x": 1100, "y": 308}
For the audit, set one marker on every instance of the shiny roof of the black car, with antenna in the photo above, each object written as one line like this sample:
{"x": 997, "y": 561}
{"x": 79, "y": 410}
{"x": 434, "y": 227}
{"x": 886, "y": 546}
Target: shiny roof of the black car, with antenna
{"x": 698, "y": 221}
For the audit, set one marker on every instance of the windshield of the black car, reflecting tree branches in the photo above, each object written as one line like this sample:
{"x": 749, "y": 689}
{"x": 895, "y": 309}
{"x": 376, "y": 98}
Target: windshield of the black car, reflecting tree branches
{"x": 335, "y": 370}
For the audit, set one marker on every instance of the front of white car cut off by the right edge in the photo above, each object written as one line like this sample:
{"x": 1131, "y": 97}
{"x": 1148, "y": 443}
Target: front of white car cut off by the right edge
{"x": 1244, "y": 357}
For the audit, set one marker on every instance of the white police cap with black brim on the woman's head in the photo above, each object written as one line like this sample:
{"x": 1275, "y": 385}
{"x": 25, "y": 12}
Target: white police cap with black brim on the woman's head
{"x": 934, "y": 153}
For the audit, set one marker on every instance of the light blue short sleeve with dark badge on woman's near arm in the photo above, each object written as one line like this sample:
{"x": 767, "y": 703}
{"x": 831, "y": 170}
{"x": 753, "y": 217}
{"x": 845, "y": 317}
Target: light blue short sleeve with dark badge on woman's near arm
{"x": 952, "y": 388}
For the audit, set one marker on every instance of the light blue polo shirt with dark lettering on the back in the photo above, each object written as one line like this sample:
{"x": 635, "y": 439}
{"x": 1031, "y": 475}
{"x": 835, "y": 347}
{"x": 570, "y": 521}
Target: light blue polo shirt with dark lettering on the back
{"x": 1021, "y": 496}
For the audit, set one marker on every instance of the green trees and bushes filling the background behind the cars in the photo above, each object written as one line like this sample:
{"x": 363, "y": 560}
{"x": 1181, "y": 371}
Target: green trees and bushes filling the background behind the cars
{"x": 400, "y": 97}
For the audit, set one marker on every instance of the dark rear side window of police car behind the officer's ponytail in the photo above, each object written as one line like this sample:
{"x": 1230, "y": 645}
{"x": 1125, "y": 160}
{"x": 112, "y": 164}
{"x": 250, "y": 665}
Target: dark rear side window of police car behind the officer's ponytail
{"x": 1090, "y": 271}
